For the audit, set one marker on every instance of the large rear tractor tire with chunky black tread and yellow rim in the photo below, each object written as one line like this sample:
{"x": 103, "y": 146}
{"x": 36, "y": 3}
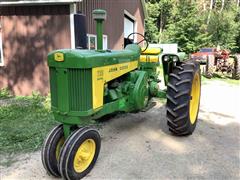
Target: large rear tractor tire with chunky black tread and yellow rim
{"x": 183, "y": 98}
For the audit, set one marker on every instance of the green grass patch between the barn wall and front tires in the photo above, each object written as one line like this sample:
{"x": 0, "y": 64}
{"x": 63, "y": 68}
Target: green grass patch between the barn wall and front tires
{"x": 24, "y": 123}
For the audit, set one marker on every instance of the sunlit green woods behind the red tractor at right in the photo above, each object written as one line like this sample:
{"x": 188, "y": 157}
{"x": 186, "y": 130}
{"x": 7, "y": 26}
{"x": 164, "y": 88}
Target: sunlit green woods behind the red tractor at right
{"x": 194, "y": 23}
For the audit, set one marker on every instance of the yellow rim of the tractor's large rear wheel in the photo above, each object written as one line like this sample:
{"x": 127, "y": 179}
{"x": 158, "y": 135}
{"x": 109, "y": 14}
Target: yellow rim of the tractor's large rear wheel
{"x": 195, "y": 98}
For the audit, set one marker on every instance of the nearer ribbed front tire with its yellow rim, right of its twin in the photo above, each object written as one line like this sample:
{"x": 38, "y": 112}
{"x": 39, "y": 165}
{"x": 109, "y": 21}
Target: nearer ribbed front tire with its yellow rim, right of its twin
{"x": 79, "y": 154}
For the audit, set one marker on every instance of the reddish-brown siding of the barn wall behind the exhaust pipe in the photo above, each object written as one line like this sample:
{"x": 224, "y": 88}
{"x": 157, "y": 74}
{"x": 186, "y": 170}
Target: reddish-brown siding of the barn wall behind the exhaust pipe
{"x": 114, "y": 25}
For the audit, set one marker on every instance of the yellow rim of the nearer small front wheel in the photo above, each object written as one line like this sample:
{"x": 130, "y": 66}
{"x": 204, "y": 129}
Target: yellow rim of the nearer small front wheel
{"x": 84, "y": 155}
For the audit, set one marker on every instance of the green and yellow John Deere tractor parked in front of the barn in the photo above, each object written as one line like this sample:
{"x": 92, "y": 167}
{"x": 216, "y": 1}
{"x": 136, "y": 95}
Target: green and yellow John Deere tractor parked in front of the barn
{"x": 86, "y": 85}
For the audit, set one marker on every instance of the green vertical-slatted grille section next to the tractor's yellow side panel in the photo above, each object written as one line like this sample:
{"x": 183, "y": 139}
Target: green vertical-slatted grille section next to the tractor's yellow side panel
{"x": 80, "y": 89}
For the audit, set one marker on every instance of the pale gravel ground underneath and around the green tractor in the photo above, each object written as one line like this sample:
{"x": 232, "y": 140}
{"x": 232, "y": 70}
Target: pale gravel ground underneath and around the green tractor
{"x": 139, "y": 146}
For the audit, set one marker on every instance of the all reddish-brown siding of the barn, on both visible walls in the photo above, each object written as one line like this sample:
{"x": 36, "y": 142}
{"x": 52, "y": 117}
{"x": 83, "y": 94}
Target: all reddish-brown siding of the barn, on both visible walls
{"x": 31, "y": 32}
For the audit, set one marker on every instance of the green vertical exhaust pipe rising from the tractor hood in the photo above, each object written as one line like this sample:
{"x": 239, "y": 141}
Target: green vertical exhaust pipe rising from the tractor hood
{"x": 99, "y": 15}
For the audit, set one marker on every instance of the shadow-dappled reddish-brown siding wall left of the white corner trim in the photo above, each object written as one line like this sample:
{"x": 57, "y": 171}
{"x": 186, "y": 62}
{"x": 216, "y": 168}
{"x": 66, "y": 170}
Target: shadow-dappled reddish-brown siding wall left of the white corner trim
{"x": 27, "y": 39}
